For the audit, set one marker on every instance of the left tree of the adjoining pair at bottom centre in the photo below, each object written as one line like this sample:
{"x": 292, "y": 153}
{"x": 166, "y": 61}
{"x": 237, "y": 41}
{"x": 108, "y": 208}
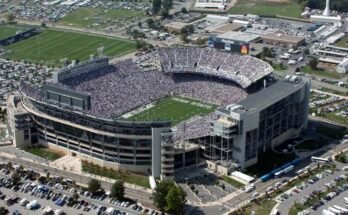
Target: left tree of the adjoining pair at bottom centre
{"x": 160, "y": 193}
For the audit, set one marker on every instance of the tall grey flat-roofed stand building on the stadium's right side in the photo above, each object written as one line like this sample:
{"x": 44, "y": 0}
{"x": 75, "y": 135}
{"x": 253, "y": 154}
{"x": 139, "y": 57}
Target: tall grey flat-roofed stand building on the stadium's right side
{"x": 261, "y": 121}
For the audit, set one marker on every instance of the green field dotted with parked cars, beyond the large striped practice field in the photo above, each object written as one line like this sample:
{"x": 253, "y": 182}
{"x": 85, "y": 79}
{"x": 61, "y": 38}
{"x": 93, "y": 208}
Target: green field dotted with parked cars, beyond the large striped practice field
{"x": 86, "y": 16}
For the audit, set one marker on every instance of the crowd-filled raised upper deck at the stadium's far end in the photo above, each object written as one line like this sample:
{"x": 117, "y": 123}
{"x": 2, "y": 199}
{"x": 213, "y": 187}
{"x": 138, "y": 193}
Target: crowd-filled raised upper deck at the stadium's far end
{"x": 243, "y": 69}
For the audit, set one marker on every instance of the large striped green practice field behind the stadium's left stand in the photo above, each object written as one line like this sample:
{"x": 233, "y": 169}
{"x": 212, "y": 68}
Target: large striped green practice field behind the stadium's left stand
{"x": 50, "y": 46}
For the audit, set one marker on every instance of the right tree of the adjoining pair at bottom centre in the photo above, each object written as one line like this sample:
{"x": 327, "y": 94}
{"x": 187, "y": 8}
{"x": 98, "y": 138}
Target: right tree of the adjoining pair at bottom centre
{"x": 176, "y": 200}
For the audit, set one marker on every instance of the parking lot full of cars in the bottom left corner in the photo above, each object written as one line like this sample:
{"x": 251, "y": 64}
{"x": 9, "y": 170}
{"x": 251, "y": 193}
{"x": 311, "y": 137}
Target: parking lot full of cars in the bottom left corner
{"x": 32, "y": 194}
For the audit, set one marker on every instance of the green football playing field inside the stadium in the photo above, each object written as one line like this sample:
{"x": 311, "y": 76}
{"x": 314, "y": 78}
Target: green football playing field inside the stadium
{"x": 175, "y": 109}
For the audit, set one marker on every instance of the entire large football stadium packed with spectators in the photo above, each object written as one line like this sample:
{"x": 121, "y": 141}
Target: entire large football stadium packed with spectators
{"x": 158, "y": 121}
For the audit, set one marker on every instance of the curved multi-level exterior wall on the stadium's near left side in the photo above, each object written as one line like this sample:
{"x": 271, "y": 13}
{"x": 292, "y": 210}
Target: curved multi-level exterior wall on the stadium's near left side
{"x": 129, "y": 147}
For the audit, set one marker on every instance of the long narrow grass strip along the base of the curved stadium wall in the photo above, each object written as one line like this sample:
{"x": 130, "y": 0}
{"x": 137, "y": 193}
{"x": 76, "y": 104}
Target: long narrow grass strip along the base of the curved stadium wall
{"x": 130, "y": 178}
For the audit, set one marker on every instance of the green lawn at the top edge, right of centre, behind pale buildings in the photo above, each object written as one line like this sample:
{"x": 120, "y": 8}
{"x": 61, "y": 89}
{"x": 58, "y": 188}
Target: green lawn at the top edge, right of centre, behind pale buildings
{"x": 263, "y": 7}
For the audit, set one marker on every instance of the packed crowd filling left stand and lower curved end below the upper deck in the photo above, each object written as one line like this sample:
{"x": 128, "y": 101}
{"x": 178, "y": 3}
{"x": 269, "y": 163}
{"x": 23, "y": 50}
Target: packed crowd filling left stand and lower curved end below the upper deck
{"x": 122, "y": 87}
